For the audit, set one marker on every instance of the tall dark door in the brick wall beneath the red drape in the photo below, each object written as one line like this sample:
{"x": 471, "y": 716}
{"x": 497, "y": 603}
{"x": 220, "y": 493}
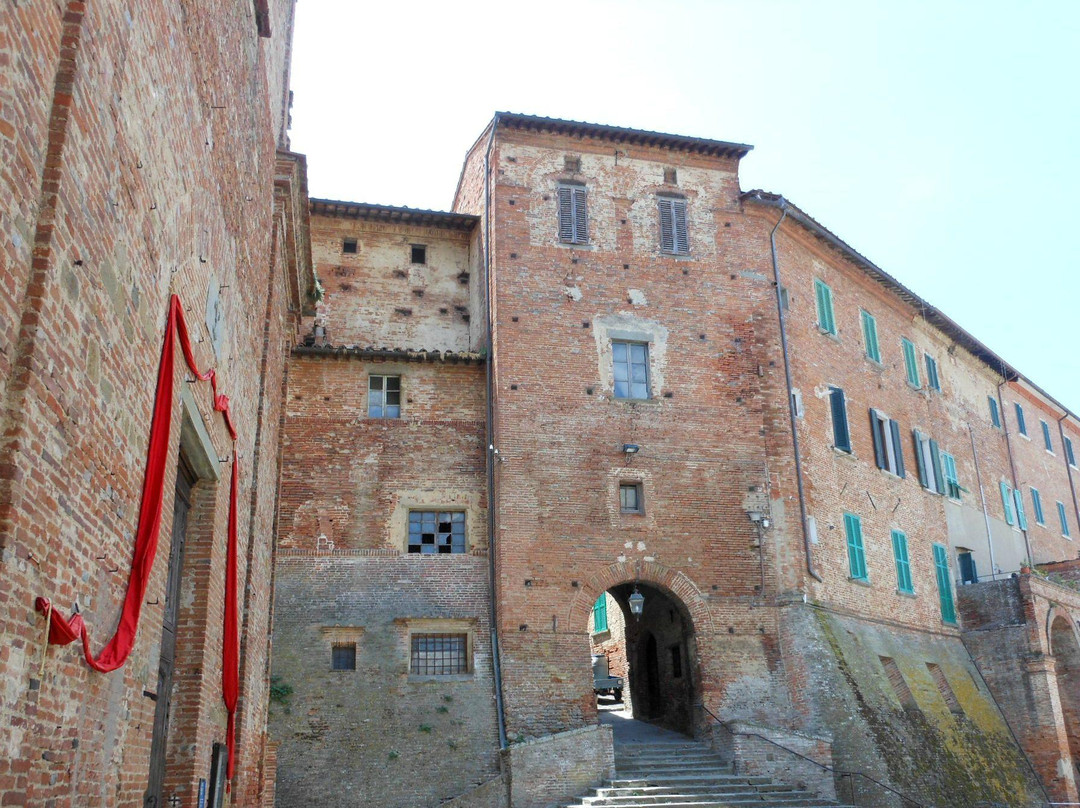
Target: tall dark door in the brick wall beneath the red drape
{"x": 182, "y": 507}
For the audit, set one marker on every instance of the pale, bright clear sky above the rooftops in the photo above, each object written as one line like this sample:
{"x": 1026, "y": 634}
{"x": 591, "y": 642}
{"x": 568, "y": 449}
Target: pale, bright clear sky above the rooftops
{"x": 940, "y": 140}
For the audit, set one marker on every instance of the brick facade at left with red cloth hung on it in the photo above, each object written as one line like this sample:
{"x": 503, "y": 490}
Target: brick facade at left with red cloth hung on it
{"x": 144, "y": 155}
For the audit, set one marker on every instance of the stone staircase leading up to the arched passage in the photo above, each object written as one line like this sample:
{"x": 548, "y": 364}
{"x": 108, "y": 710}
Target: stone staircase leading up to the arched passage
{"x": 688, "y": 776}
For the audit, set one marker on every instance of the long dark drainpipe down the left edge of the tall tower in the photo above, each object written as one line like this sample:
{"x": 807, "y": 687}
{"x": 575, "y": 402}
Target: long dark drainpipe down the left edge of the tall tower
{"x": 496, "y": 663}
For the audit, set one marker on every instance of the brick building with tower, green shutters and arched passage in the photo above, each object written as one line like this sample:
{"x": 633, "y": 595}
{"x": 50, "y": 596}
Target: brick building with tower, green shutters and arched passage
{"x": 613, "y": 371}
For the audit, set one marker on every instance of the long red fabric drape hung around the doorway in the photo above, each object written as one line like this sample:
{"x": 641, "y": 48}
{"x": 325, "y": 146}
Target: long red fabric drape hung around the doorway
{"x": 116, "y": 652}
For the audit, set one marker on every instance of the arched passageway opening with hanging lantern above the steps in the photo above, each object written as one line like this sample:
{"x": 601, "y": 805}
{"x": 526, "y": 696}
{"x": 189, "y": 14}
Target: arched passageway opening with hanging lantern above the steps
{"x": 655, "y": 654}
